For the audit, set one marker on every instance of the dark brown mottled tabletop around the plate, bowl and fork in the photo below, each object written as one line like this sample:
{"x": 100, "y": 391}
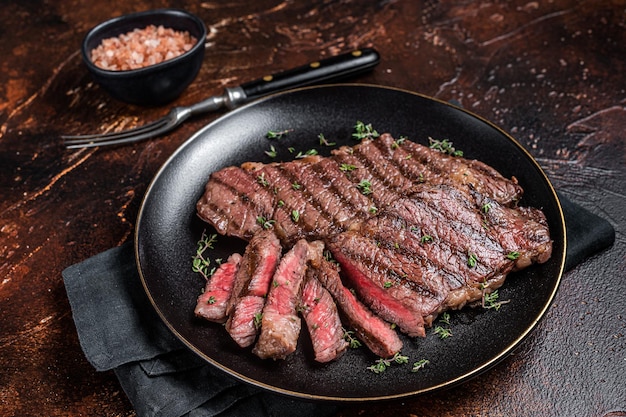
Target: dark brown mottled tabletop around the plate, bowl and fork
{"x": 550, "y": 73}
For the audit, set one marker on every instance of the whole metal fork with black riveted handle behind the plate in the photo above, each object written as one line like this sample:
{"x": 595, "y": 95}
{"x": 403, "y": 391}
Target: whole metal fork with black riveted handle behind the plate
{"x": 326, "y": 70}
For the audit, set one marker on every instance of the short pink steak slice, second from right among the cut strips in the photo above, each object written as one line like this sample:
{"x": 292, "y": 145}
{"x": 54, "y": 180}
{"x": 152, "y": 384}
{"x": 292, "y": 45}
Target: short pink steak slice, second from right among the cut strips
{"x": 322, "y": 319}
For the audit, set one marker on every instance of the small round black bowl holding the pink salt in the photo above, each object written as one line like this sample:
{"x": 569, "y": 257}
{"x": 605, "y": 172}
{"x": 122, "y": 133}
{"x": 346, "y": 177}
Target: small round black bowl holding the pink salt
{"x": 156, "y": 84}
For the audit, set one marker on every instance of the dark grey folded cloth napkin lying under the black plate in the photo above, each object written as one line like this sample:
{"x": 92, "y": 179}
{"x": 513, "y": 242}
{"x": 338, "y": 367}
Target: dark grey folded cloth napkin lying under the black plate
{"x": 119, "y": 330}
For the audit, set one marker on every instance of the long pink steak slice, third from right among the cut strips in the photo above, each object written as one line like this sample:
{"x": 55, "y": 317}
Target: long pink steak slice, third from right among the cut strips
{"x": 280, "y": 324}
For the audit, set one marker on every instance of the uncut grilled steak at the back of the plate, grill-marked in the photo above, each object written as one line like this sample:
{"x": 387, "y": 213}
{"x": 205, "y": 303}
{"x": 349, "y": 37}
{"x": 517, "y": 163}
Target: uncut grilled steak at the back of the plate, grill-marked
{"x": 330, "y": 194}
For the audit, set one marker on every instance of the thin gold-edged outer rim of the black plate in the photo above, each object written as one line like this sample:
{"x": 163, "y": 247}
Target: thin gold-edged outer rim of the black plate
{"x": 474, "y": 372}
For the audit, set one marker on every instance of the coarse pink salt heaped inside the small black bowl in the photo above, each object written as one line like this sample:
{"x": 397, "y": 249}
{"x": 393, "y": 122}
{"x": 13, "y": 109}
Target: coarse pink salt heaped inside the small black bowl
{"x": 141, "y": 48}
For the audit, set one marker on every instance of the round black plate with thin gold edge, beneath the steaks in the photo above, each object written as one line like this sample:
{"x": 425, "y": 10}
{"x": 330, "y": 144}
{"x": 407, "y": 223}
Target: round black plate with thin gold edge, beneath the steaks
{"x": 167, "y": 232}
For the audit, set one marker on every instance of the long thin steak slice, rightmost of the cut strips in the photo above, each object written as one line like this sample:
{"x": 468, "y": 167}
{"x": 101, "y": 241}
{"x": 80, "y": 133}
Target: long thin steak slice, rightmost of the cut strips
{"x": 375, "y": 333}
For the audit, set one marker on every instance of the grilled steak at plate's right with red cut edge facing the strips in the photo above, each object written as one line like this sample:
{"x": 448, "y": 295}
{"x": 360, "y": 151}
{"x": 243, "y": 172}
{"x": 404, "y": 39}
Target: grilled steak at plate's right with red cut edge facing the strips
{"x": 438, "y": 249}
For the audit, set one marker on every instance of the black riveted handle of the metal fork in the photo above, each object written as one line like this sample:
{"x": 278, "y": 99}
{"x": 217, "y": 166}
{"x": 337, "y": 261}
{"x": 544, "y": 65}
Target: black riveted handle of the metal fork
{"x": 326, "y": 70}
